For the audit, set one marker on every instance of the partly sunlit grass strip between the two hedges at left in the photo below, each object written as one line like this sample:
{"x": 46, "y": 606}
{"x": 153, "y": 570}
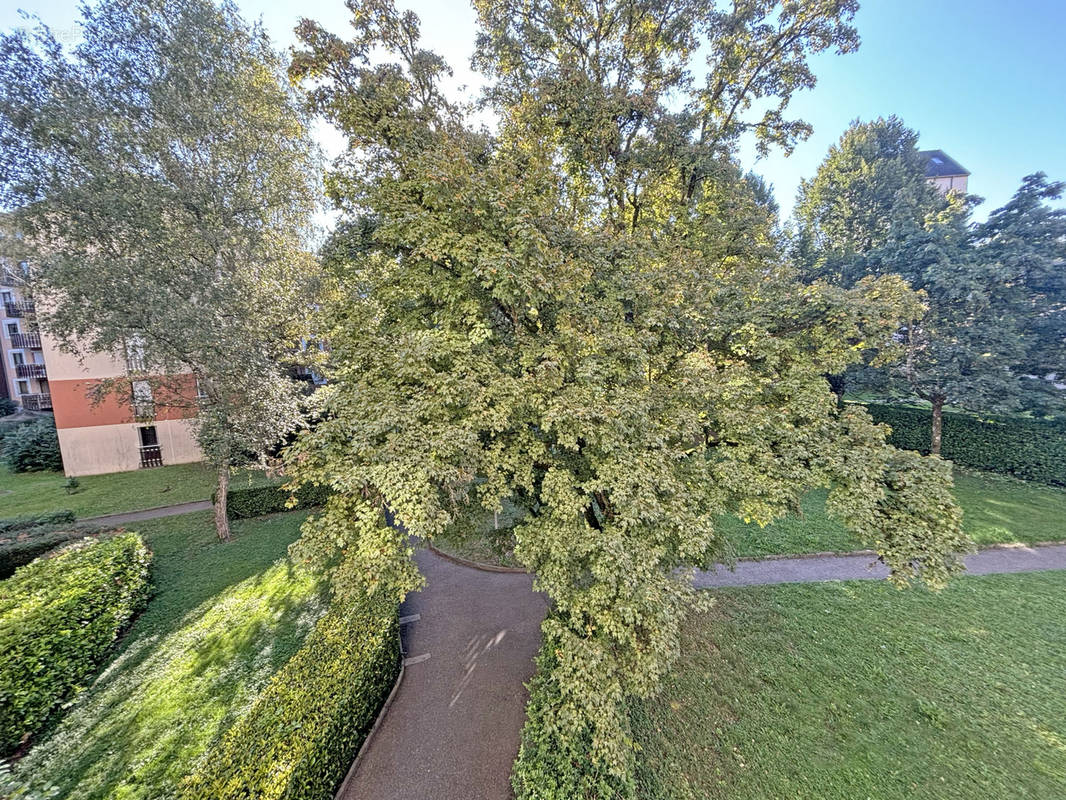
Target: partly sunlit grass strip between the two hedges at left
{"x": 224, "y": 618}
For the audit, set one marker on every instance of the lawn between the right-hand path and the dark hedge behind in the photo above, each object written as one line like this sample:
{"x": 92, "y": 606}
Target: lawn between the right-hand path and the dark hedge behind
{"x": 995, "y": 509}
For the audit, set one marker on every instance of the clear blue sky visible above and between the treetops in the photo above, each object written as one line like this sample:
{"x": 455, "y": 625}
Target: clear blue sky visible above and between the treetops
{"x": 981, "y": 79}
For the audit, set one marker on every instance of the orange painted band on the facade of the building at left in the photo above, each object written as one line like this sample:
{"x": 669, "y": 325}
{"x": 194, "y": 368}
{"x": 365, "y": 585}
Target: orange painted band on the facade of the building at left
{"x": 74, "y": 408}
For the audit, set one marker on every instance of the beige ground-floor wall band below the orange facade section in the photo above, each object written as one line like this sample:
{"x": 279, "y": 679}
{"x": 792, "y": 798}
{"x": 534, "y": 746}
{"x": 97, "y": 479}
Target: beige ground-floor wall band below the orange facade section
{"x": 116, "y": 449}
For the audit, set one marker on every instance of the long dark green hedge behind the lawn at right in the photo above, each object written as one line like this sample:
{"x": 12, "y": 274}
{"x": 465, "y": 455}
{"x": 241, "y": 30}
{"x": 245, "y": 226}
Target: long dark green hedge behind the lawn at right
{"x": 1031, "y": 450}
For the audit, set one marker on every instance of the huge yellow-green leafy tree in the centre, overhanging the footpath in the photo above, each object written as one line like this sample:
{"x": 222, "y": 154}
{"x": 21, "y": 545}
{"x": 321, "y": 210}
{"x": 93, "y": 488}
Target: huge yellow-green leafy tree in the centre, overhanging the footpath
{"x": 585, "y": 313}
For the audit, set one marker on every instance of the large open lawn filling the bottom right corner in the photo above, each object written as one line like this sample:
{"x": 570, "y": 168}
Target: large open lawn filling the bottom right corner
{"x": 860, "y": 691}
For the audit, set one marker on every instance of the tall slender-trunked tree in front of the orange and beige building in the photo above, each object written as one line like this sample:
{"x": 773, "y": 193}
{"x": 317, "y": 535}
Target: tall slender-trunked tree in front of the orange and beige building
{"x": 164, "y": 177}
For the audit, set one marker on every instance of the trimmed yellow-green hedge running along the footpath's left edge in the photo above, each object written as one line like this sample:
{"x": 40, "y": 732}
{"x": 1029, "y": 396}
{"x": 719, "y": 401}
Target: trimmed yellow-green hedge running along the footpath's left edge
{"x": 300, "y": 738}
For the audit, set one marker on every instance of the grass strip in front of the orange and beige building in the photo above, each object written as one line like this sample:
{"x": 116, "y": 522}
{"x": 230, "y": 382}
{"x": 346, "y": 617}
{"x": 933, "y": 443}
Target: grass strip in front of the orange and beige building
{"x": 26, "y": 493}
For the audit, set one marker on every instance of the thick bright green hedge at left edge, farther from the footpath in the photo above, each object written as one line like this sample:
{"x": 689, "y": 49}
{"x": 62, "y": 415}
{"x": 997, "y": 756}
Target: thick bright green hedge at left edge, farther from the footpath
{"x": 59, "y": 618}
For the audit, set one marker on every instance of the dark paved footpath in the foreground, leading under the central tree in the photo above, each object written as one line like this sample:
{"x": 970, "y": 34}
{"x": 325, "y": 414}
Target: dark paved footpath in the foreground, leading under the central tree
{"x": 454, "y": 728}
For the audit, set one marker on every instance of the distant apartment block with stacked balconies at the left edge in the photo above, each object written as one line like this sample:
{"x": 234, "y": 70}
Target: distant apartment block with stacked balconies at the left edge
{"x": 22, "y": 350}
